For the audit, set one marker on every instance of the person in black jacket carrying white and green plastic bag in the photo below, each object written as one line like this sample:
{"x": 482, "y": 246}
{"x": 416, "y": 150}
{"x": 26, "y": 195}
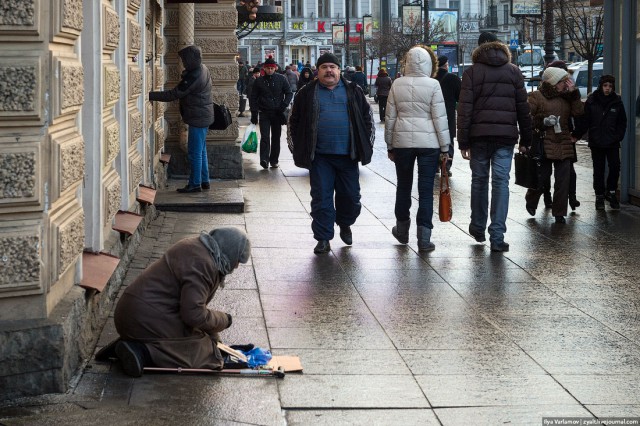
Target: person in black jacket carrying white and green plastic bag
{"x": 270, "y": 97}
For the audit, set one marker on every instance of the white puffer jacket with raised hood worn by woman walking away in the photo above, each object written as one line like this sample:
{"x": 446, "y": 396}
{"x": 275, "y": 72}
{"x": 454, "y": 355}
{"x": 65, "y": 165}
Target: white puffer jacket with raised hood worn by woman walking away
{"x": 416, "y": 116}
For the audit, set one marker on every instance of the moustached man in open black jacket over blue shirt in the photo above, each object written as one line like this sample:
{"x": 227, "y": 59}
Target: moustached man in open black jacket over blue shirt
{"x": 331, "y": 128}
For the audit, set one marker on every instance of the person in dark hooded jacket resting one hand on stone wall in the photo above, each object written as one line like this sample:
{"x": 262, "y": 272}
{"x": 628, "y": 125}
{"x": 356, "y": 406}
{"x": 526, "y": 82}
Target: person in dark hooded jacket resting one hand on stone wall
{"x": 196, "y": 109}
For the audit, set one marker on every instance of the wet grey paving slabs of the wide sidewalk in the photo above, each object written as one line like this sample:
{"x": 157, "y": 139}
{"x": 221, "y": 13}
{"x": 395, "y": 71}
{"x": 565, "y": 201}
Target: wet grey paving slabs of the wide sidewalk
{"x": 388, "y": 335}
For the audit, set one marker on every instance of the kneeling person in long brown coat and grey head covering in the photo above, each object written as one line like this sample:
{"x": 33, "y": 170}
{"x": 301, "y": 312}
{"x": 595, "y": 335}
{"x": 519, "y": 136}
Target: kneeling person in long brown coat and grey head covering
{"x": 162, "y": 317}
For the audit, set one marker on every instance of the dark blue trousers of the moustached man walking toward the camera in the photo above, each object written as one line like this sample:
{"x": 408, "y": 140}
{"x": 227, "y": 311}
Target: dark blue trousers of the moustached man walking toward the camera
{"x": 331, "y": 173}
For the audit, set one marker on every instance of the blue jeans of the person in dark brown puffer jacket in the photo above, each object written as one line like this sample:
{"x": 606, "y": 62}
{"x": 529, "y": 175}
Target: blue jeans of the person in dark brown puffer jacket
{"x": 492, "y": 156}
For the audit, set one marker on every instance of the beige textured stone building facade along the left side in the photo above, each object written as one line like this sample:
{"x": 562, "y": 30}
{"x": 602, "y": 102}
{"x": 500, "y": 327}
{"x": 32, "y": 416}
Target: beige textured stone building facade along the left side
{"x": 77, "y": 138}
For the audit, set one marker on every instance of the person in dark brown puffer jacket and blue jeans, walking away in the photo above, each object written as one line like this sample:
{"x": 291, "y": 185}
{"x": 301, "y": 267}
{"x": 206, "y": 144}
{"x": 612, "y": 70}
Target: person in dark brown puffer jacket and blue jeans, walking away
{"x": 493, "y": 114}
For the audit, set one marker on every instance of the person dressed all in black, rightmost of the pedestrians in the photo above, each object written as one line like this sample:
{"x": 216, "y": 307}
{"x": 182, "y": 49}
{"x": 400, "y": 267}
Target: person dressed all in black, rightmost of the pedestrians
{"x": 606, "y": 120}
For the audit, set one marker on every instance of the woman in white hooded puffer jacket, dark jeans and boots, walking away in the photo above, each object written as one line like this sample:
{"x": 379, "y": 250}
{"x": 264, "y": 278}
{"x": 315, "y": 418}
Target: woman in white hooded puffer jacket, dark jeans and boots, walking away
{"x": 416, "y": 129}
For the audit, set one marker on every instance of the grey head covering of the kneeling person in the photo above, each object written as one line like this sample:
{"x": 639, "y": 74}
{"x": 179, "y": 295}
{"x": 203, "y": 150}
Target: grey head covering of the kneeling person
{"x": 228, "y": 247}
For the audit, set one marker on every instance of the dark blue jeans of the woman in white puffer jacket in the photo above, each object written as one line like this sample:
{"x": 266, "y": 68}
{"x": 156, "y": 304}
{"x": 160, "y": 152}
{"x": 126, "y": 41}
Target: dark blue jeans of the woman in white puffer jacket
{"x": 404, "y": 159}
